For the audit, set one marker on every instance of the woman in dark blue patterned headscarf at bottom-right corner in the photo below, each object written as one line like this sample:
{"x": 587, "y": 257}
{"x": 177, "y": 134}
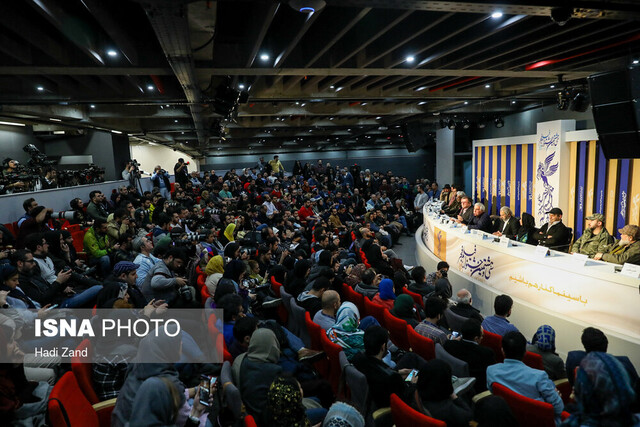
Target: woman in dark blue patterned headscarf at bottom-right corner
{"x": 603, "y": 392}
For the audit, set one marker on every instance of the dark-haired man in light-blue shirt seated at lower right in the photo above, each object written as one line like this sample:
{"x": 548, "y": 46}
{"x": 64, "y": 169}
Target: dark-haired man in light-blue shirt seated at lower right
{"x": 517, "y": 376}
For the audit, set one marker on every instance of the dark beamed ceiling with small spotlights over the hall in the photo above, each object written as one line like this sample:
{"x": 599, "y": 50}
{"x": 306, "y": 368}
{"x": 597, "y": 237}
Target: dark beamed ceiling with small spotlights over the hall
{"x": 337, "y": 78}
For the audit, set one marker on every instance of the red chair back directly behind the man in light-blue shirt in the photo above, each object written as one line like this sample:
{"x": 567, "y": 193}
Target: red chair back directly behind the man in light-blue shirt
{"x": 529, "y": 412}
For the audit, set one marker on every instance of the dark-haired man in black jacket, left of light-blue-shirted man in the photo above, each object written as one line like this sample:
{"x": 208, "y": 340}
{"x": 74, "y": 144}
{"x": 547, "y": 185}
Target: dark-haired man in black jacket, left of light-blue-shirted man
{"x": 469, "y": 350}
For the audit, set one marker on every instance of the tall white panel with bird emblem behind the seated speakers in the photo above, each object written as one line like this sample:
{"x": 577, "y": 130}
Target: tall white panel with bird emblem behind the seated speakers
{"x": 552, "y": 170}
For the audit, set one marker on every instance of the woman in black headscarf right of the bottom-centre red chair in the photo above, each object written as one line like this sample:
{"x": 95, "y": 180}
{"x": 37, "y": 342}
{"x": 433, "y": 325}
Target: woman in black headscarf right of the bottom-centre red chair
{"x": 435, "y": 396}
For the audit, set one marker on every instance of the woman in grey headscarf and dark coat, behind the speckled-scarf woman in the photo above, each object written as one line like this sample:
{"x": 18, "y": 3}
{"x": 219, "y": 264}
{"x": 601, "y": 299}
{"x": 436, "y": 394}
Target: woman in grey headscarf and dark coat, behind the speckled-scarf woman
{"x": 255, "y": 371}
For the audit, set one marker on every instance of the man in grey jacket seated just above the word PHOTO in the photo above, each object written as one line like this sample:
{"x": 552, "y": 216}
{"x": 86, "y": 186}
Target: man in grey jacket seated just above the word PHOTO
{"x": 162, "y": 282}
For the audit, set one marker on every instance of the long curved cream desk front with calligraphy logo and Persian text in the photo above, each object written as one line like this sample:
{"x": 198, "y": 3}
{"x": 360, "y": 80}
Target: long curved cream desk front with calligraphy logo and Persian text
{"x": 551, "y": 283}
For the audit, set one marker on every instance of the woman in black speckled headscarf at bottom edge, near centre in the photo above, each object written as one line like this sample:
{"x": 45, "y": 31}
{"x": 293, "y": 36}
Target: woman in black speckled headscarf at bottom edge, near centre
{"x": 284, "y": 404}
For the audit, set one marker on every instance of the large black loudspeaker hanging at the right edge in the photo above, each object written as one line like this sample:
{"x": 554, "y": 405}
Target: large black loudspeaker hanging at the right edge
{"x": 616, "y": 112}
